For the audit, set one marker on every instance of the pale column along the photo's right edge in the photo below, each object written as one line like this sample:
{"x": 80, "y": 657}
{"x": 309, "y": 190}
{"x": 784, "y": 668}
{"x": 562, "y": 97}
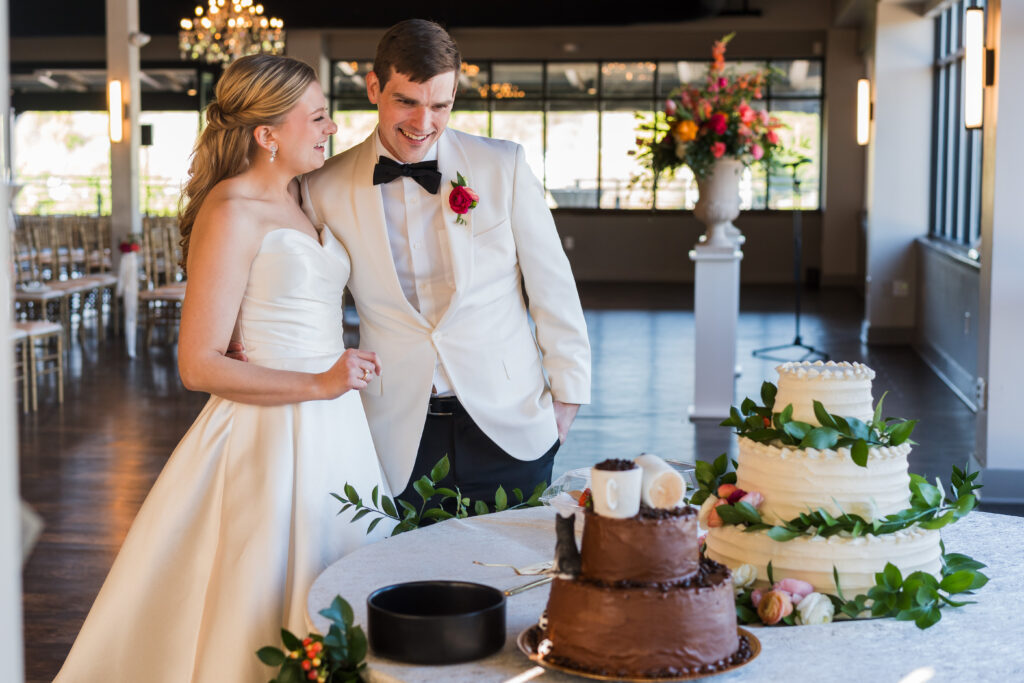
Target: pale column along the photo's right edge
{"x": 1002, "y": 295}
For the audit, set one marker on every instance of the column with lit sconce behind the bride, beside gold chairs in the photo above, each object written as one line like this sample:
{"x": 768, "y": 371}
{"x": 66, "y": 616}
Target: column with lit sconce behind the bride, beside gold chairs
{"x": 122, "y": 65}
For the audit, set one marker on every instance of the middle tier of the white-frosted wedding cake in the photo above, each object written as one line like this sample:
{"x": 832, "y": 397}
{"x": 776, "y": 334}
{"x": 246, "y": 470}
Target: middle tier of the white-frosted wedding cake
{"x": 795, "y": 481}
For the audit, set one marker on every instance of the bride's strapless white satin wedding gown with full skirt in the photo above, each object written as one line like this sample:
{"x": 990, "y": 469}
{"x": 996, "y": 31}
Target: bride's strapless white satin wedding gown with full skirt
{"x": 241, "y": 521}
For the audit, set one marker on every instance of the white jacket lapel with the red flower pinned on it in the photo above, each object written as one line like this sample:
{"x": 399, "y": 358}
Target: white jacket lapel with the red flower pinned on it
{"x": 452, "y": 161}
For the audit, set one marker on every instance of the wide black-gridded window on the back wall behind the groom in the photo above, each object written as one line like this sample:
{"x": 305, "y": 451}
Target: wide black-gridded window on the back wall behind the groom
{"x": 578, "y": 122}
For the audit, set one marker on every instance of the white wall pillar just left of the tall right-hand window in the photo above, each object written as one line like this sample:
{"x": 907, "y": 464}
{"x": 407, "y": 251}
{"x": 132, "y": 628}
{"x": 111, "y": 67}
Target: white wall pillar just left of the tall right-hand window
{"x": 898, "y": 180}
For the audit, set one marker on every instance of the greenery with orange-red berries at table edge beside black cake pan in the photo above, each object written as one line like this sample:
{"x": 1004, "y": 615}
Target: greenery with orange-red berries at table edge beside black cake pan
{"x": 337, "y": 658}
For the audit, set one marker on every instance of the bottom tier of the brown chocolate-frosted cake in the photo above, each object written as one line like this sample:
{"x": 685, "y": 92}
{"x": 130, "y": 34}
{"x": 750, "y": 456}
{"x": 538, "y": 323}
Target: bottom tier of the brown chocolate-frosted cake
{"x": 646, "y": 631}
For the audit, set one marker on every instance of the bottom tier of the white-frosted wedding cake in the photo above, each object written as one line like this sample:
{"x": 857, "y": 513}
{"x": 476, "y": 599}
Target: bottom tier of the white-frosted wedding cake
{"x": 813, "y": 559}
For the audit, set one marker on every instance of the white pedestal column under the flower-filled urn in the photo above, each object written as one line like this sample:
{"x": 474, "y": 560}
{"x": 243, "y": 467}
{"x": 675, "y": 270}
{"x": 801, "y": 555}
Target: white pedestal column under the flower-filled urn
{"x": 716, "y": 312}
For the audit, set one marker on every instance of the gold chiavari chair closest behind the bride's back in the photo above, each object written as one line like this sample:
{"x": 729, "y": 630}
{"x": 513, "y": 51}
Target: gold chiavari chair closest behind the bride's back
{"x": 161, "y": 301}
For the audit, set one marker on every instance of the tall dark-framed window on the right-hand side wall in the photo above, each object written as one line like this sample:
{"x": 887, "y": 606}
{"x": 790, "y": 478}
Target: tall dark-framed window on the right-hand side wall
{"x": 956, "y": 210}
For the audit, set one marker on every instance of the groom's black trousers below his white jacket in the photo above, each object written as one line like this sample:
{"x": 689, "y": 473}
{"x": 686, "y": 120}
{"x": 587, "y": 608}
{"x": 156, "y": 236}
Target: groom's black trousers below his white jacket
{"x": 479, "y": 465}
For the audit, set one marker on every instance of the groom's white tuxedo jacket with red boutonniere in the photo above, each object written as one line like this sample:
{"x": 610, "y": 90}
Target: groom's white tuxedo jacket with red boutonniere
{"x": 503, "y": 375}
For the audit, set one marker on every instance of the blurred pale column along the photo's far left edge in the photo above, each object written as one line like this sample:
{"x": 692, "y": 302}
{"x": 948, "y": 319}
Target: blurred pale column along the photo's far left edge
{"x": 12, "y": 652}
